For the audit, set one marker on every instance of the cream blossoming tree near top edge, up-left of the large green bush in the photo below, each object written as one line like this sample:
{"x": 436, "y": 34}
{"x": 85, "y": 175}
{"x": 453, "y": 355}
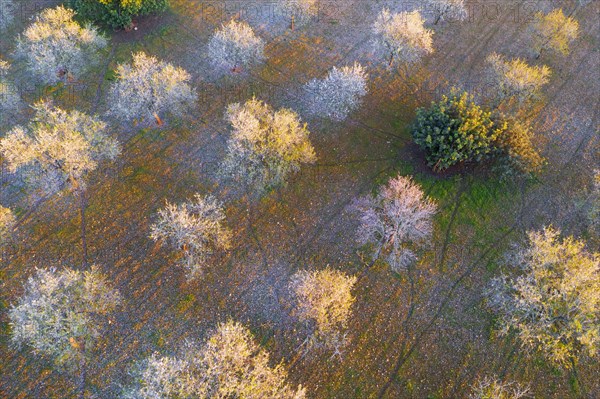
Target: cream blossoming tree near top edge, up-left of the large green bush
{"x": 402, "y": 37}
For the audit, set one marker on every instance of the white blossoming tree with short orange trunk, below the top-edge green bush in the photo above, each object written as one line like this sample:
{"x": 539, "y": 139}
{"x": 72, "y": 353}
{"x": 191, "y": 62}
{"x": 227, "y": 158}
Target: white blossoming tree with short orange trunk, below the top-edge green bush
{"x": 148, "y": 88}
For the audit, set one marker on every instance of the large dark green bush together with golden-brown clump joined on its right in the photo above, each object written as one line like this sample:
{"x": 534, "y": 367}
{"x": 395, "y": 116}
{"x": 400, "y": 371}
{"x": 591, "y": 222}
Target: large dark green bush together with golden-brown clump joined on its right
{"x": 456, "y": 130}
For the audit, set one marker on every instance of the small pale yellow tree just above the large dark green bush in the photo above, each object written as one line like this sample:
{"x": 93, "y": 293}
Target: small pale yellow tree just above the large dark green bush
{"x": 516, "y": 79}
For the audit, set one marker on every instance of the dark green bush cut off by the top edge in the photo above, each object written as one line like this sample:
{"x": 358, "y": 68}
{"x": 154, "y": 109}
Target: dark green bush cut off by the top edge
{"x": 116, "y": 14}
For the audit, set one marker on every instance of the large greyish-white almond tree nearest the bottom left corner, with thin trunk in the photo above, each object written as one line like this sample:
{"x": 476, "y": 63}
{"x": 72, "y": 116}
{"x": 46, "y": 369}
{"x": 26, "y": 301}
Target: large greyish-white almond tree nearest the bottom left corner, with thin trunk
{"x": 62, "y": 314}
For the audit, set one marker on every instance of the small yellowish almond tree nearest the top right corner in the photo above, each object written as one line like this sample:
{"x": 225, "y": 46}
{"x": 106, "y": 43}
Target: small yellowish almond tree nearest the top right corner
{"x": 554, "y": 31}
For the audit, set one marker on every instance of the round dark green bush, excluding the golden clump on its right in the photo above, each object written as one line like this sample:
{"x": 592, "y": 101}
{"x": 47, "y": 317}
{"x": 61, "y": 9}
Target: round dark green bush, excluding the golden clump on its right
{"x": 455, "y": 130}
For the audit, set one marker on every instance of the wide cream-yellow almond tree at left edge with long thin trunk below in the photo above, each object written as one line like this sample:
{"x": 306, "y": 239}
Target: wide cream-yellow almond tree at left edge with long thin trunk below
{"x": 57, "y": 151}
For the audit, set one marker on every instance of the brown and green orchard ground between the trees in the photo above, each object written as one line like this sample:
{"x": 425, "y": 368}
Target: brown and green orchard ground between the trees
{"x": 421, "y": 334}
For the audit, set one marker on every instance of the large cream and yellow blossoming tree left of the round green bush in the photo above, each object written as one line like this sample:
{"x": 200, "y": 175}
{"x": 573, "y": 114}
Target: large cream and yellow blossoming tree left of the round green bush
{"x": 265, "y": 146}
